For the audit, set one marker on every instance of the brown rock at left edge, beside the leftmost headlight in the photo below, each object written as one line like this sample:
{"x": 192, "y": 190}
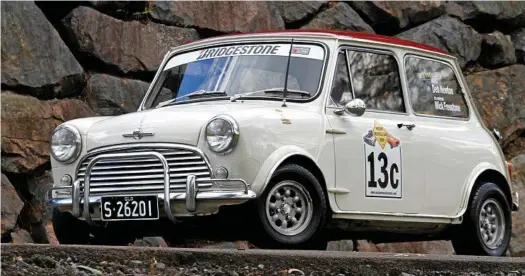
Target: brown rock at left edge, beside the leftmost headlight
{"x": 24, "y": 149}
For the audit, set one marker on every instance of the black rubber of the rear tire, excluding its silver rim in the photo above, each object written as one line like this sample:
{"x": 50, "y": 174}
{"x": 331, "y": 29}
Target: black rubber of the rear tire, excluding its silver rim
{"x": 467, "y": 239}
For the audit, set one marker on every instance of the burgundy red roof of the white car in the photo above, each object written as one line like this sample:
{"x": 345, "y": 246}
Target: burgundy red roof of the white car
{"x": 357, "y": 35}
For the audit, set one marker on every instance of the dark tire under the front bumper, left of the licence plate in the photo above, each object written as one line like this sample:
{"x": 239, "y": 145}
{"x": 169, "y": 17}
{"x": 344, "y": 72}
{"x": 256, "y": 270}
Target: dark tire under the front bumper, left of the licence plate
{"x": 70, "y": 230}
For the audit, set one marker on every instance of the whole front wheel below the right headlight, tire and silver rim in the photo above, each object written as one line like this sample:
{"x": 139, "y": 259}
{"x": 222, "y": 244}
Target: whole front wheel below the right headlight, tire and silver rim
{"x": 293, "y": 210}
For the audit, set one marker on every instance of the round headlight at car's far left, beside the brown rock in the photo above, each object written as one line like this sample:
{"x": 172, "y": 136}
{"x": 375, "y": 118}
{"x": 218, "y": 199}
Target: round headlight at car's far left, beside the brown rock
{"x": 66, "y": 144}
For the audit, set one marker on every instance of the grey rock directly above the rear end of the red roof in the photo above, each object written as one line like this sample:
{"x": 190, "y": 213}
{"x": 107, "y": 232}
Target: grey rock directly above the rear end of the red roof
{"x": 449, "y": 34}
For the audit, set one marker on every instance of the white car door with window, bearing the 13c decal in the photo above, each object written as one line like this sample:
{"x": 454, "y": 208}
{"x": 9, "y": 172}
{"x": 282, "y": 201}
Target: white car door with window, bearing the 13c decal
{"x": 378, "y": 168}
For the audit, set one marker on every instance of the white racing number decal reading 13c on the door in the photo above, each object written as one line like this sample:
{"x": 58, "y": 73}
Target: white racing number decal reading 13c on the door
{"x": 382, "y": 163}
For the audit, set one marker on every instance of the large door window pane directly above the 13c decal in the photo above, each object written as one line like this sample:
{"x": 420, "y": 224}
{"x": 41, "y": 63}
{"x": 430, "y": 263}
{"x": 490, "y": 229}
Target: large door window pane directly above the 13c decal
{"x": 375, "y": 79}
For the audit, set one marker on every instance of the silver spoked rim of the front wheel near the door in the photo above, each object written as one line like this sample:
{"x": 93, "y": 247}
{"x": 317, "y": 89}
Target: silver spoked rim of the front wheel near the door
{"x": 289, "y": 208}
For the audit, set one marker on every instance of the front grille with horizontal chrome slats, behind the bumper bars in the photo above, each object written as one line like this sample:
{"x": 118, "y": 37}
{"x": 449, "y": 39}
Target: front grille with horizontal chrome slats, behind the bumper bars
{"x": 144, "y": 174}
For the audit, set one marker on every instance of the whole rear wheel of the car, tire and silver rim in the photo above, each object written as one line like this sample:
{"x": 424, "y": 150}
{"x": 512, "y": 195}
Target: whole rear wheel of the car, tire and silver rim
{"x": 487, "y": 227}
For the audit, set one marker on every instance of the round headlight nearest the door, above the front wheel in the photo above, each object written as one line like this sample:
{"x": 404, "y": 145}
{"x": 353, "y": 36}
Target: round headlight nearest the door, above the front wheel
{"x": 222, "y": 133}
